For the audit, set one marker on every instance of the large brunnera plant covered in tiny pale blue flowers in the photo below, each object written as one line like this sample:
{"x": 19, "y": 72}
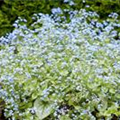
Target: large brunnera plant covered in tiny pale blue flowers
{"x": 59, "y": 70}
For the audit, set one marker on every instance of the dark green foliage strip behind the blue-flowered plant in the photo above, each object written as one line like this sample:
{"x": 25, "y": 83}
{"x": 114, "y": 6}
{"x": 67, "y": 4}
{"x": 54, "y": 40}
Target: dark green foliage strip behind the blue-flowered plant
{"x": 10, "y": 10}
